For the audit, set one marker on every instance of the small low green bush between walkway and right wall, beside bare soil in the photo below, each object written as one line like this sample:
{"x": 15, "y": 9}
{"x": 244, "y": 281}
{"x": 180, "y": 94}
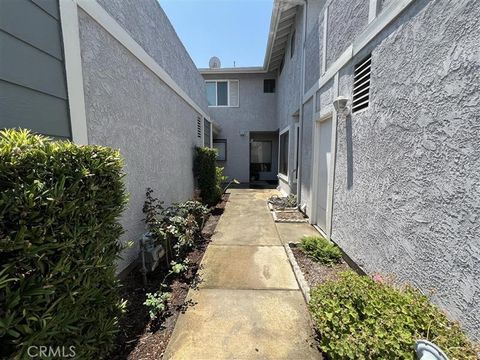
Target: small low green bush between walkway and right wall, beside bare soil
{"x": 321, "y": 250}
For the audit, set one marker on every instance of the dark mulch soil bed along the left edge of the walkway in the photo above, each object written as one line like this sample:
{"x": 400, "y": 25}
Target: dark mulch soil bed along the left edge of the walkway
{"x": 140, "y": 337}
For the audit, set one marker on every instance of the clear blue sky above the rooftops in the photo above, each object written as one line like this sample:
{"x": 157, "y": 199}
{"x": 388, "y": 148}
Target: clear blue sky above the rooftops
{"x": 233, "y": 30}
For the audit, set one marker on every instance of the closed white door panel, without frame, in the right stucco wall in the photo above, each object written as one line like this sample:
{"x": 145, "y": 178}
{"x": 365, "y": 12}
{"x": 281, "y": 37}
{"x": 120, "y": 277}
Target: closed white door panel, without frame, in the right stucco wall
{"x": 324, "y": 133}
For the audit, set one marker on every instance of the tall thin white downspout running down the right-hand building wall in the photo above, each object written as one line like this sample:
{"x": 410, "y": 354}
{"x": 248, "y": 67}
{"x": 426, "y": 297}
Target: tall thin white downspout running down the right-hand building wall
{"x": 300, "y": 113}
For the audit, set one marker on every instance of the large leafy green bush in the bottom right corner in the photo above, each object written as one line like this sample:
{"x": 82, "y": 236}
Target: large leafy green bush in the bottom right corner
{"x": 359, "y": 318}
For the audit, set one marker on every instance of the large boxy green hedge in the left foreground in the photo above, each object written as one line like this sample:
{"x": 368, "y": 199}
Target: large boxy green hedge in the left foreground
{"x": 59, "y": 210}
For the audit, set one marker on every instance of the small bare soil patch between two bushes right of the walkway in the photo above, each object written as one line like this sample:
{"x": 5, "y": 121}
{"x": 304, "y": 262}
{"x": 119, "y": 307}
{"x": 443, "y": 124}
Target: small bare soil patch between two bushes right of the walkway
{"x": 315, "y": 273}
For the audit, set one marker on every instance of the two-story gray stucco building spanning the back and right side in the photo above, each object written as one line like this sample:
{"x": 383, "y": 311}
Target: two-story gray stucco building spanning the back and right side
{"x": 392, "y": 177}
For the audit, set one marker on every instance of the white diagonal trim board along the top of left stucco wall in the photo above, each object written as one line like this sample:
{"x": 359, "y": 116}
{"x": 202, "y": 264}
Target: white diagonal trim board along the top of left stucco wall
{"x": 104, "y": 19}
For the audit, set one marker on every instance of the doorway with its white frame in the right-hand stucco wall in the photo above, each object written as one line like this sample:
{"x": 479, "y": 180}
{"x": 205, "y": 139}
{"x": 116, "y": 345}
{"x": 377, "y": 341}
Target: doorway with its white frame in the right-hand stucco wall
{"x": 322, "y": 172}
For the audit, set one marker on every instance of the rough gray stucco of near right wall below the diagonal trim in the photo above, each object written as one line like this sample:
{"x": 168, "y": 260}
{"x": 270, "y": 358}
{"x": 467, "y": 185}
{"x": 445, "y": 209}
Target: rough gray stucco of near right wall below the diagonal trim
{"x": 407, "y": 195}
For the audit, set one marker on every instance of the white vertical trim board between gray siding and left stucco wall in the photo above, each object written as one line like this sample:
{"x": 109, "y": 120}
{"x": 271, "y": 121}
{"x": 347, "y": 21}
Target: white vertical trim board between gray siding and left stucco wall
{"x": 73, "y": 71}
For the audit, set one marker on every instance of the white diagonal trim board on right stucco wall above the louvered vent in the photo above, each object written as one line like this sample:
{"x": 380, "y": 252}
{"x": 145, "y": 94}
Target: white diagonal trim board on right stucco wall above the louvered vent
{"x": 374, "y": 28}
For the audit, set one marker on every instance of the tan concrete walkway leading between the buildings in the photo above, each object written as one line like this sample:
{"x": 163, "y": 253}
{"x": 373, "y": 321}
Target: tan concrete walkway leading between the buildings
{"x": 249, "y": 305}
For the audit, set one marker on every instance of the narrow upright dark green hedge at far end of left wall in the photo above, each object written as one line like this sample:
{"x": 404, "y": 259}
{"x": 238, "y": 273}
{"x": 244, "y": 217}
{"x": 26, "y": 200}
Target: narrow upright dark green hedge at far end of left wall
{"x": 206, "y": 173}
